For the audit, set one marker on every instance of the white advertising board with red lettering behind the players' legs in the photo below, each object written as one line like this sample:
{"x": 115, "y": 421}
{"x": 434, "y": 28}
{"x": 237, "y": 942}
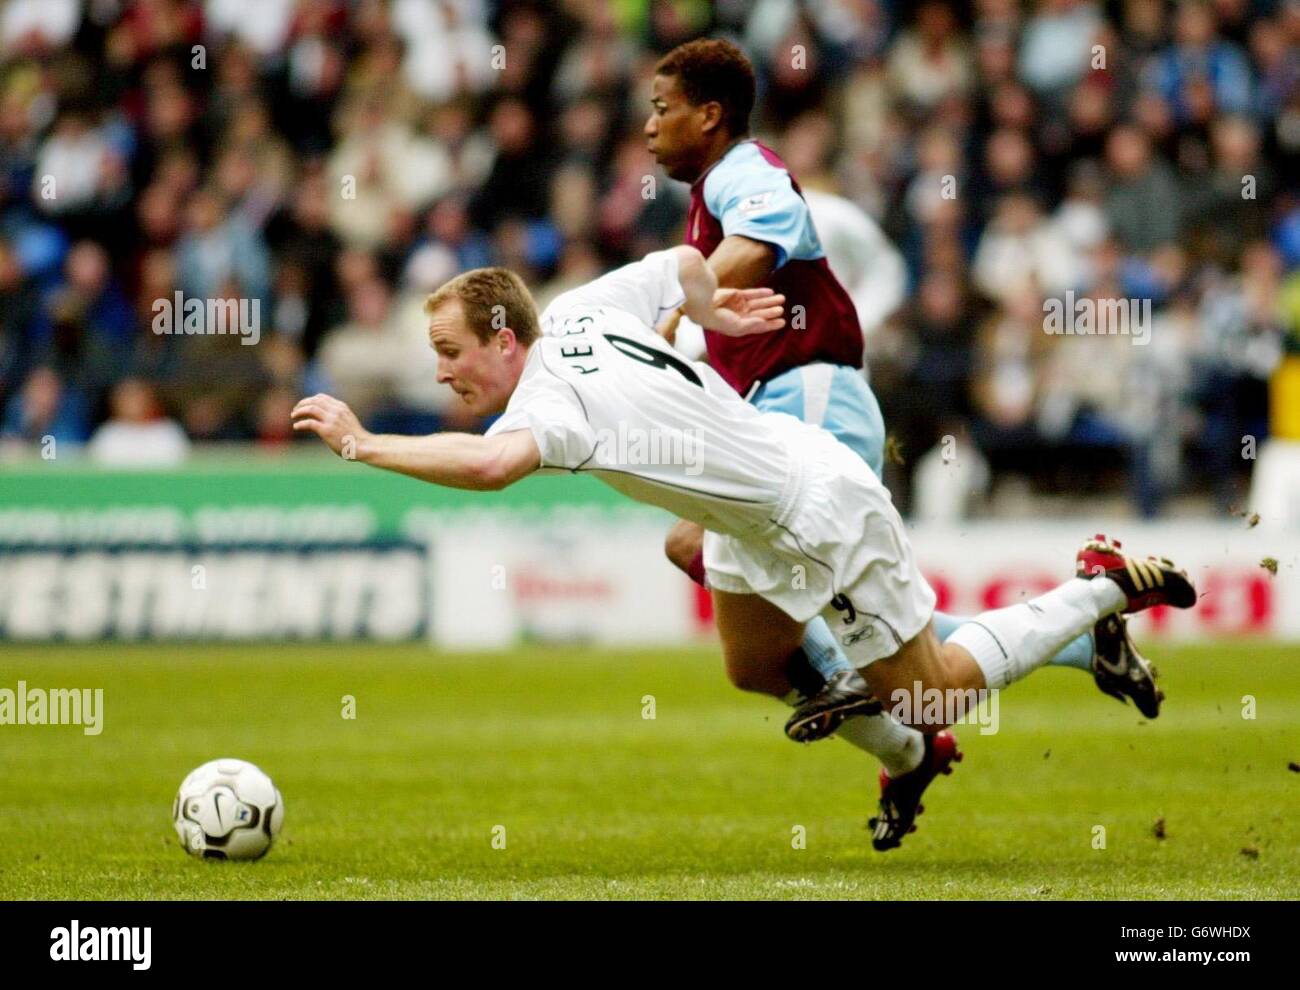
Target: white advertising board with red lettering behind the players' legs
{"x": 497, "y": 581}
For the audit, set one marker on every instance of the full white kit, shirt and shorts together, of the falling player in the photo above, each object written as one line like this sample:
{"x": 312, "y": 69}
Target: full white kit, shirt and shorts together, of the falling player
{"x": 790, "y": 513}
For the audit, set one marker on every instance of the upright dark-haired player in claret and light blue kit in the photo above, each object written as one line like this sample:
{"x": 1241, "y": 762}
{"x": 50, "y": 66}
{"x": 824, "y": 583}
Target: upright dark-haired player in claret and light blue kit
{"x": 749, "y": 219}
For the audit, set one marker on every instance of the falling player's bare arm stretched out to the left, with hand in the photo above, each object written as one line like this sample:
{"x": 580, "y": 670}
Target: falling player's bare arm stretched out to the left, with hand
{"x": 457, "y": 461}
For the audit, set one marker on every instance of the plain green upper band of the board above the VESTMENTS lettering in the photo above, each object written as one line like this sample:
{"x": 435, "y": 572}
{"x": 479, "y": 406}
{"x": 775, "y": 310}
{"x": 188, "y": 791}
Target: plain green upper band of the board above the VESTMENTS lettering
{"x": 255, "y": 498}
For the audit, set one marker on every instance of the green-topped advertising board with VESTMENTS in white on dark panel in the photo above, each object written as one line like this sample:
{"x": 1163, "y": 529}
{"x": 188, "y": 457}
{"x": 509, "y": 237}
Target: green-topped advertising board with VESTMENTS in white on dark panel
{"x": 240, "y": 545}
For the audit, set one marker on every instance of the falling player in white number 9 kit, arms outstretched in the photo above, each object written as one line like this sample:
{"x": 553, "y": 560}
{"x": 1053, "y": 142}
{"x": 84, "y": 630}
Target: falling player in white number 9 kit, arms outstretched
{"x": 791, "y": 514}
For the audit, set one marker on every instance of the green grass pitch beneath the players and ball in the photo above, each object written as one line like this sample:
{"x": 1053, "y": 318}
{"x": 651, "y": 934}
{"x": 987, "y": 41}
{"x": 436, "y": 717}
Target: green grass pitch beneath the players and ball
{"x": 599, "y": 802}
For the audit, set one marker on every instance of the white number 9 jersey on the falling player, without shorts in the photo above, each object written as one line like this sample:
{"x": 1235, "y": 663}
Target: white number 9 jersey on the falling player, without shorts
{"x": 604, "y": 394}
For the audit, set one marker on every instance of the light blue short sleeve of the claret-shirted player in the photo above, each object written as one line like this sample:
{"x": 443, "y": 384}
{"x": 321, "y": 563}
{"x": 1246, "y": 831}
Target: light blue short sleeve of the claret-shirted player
{"x": 760, "y": 202}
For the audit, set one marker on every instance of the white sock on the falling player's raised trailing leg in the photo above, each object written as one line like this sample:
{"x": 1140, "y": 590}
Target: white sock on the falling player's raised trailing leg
{"x": 1009, "y": 644}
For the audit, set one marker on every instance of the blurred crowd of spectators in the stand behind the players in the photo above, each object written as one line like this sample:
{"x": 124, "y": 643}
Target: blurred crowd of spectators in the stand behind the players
{"x": 336, "y": 160}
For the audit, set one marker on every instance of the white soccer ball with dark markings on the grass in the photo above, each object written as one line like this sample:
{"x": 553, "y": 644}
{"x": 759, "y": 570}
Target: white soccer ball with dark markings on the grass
{"x": 228, "y": 810}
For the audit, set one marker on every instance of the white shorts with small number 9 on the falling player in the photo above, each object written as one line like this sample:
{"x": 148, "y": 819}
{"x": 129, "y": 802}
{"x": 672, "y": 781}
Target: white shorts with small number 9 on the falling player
{"x": 843, "y": 555}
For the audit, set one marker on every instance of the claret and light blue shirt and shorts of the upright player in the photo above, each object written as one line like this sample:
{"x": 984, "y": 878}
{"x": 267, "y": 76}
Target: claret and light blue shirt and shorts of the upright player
{"x": 812, "y": 368}
